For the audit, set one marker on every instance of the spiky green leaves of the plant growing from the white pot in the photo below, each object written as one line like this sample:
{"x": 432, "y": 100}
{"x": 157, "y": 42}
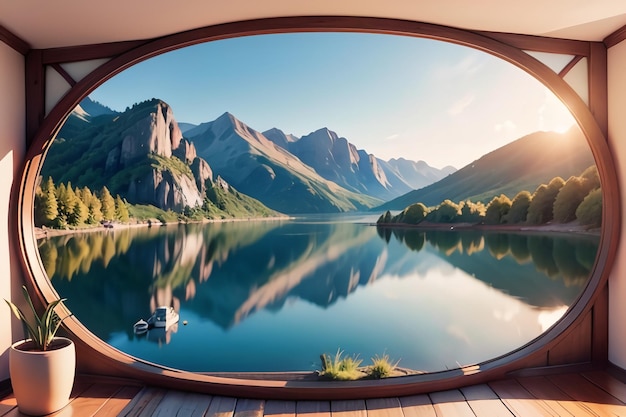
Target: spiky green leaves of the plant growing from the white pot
{"x": 41, "y": 329}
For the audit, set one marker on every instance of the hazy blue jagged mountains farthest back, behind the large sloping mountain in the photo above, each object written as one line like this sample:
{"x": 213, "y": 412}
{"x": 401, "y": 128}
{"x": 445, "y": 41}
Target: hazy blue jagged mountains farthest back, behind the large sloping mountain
{"x": 336, "y": 159}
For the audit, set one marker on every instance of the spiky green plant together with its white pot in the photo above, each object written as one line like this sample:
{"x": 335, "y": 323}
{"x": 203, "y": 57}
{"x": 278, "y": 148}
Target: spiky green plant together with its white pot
{"x": 41, "y": 367}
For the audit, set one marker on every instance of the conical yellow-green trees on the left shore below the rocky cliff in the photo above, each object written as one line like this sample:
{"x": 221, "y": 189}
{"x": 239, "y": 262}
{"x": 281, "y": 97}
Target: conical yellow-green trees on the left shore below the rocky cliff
{"x": 63, "y": 206}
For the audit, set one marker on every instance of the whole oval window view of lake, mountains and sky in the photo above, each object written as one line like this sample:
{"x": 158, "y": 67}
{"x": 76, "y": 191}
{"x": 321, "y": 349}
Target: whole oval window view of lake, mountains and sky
{"x": 294, "y": 202}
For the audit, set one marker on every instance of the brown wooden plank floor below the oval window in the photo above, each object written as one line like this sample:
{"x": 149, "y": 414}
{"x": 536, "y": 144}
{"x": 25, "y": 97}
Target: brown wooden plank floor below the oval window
{"x": 592, "y": 393}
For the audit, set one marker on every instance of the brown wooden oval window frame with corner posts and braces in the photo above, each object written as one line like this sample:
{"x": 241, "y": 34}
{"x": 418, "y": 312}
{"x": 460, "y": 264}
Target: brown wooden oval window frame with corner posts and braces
{"x": 580, "y": 336}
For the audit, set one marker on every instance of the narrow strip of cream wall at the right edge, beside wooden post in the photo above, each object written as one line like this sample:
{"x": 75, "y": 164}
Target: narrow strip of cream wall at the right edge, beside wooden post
{"x": 617, "y": 142}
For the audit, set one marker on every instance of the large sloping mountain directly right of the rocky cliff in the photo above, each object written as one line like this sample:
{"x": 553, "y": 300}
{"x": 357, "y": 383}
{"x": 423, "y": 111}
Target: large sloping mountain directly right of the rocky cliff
{"x": 258, "y": 167}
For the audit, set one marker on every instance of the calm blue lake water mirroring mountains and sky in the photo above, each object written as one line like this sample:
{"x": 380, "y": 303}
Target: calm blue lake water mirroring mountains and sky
{"x": 273, "y": 296}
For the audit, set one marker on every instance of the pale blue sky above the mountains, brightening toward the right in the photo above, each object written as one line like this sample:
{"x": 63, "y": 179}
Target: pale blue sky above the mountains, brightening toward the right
{"x": 392, "y": 96}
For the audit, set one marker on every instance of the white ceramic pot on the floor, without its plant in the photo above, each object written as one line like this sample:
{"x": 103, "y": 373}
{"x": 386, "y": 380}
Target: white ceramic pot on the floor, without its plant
{"x": 42, "y": 381}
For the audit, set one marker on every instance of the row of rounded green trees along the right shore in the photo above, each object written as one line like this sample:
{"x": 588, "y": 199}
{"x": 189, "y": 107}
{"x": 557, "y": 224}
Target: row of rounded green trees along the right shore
{"x": 579, "y": 198}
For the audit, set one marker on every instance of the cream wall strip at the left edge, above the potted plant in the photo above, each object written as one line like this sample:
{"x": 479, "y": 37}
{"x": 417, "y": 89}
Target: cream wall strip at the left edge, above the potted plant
{"x": 12, "y": 134}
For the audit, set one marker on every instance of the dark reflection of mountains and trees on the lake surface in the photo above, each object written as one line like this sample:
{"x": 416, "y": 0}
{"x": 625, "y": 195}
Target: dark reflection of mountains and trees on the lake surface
{"x": 227, "y": 272}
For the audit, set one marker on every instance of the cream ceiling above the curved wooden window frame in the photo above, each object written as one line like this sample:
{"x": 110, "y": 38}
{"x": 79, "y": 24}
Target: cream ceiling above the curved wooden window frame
{"x": 48, "y": 24}
